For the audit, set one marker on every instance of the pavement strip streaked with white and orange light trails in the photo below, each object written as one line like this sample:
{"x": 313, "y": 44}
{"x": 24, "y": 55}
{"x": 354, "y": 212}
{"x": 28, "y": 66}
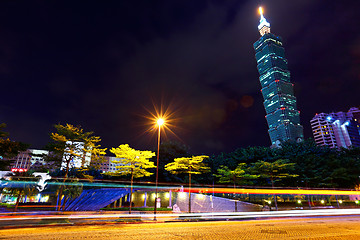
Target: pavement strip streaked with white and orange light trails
{"x": 51, "y": 218}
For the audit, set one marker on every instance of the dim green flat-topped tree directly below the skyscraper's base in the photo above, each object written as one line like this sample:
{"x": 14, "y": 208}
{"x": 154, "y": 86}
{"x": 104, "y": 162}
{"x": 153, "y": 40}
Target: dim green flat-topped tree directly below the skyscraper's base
{"x": 274, "y": 171}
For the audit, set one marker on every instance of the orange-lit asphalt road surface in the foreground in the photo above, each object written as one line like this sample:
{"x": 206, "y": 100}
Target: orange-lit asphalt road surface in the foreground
{"x": 345, "y": 227}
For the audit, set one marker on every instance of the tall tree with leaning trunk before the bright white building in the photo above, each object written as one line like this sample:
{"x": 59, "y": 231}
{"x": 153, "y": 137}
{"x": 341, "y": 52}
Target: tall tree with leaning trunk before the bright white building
{"x": 72, "y": 143}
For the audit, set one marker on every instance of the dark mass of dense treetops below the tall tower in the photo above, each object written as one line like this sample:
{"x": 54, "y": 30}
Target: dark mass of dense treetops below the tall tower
{"x": 315, "y": 166}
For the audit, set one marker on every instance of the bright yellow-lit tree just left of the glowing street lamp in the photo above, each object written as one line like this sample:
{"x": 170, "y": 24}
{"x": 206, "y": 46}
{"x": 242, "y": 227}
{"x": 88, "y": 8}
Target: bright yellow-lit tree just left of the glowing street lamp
{"x": 133, "y": 162}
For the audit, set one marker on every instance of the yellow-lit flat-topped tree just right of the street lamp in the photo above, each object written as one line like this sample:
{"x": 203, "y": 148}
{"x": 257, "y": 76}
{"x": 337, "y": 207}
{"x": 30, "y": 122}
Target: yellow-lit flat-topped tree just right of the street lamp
{"x": 188, "y": 165}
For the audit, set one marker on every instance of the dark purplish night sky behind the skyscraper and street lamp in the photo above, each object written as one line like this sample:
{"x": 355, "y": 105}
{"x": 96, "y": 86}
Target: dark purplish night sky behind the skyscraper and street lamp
{"x": 104, "y": 64}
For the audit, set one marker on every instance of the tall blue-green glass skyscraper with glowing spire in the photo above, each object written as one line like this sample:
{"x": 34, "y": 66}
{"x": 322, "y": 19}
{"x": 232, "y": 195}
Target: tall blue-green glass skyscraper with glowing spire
{"x": 282, "y": 116}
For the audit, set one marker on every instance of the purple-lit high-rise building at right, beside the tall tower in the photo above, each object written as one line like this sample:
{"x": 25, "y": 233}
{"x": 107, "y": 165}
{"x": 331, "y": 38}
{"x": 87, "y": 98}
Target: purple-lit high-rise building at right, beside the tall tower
{"x": 341, "y": 129}
